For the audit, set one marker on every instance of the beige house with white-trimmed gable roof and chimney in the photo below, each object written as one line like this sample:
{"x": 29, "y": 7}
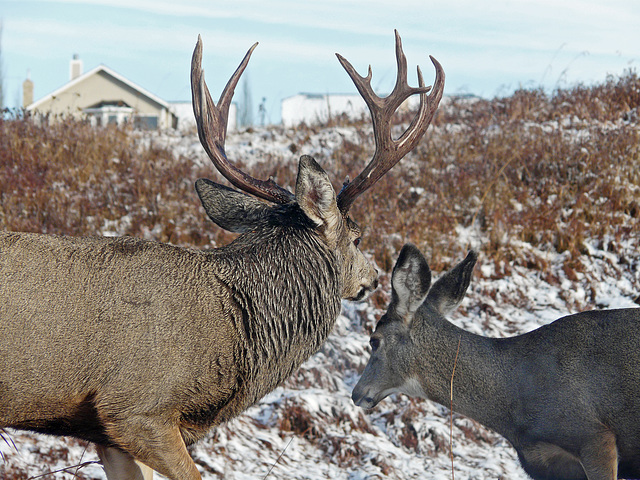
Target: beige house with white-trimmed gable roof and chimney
{"x": 105, "y": 97}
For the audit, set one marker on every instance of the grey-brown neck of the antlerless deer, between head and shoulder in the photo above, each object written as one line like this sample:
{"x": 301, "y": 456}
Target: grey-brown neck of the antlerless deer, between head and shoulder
{"x": 464, "y": 370}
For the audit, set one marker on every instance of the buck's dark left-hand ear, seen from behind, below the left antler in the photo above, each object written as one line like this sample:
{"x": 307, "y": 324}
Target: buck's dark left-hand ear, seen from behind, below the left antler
{"x": 228, "y": 208}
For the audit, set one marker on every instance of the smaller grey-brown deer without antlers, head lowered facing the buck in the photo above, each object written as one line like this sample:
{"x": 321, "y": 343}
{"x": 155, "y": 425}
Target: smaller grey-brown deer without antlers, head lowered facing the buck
{"x": 565, "y": 395}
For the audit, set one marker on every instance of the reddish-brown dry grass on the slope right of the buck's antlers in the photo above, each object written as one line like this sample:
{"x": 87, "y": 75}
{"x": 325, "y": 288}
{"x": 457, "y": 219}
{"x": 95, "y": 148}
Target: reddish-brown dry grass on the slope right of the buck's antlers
{"x": 546, "y": 170}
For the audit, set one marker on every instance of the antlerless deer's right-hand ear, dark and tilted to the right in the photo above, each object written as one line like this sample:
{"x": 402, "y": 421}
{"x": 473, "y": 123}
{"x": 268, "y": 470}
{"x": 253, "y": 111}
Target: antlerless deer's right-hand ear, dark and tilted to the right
{"x": 449, "y": 290}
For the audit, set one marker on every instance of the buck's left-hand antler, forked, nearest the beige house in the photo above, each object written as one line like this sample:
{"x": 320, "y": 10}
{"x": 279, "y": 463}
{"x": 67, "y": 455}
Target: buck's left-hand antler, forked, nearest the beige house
{"x": 212, "y": 130}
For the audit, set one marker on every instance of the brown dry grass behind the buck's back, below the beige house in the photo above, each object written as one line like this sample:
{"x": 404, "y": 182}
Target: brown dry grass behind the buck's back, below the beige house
{"x": 66, "y": 177}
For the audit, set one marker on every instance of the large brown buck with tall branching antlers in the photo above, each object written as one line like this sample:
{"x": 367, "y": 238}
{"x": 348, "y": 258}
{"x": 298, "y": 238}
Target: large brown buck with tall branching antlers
{"x": 142, "y": 347}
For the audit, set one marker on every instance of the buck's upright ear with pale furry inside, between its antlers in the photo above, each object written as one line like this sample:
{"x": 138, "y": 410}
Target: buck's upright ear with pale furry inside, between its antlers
{"x": 315, "y": 195}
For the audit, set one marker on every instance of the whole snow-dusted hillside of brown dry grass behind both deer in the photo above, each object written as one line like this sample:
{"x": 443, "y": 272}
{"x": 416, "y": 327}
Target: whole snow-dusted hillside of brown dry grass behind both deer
{"x": 545, "y": 187}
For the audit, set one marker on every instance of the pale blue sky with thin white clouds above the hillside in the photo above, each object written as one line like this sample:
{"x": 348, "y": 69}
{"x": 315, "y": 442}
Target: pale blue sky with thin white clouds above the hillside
{"x": 487, "y": 48}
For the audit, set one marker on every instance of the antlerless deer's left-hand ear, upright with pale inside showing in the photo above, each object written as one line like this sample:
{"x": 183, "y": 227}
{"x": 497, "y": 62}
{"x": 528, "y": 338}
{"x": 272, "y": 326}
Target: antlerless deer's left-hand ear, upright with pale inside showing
{"x": 410, "y": 281}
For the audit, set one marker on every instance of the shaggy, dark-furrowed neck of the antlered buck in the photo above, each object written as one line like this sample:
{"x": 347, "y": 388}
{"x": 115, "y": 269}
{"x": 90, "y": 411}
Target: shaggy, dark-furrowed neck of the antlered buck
{"x": 286, "y": 287}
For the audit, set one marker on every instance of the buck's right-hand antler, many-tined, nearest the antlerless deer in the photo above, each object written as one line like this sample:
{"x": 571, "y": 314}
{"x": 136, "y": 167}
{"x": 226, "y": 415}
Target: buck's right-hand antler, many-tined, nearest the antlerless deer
{"x": 389, "y": 151}
